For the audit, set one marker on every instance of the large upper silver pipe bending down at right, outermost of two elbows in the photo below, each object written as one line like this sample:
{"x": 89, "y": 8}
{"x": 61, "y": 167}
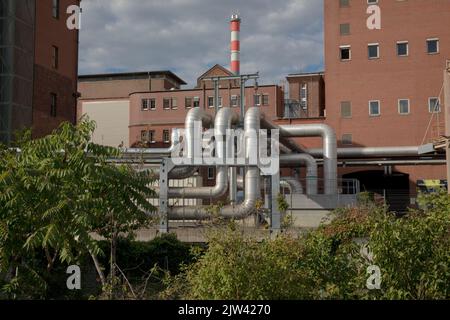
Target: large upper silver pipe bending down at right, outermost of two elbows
{"x": 329, "y": 149}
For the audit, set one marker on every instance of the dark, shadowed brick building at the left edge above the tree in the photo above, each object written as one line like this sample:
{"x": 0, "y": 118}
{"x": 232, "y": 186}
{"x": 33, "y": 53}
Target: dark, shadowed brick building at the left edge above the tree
{"x": 38, "y": 66}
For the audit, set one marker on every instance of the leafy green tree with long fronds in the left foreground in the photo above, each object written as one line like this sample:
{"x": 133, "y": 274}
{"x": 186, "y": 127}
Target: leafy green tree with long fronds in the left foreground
{"x": 55, "y": 193}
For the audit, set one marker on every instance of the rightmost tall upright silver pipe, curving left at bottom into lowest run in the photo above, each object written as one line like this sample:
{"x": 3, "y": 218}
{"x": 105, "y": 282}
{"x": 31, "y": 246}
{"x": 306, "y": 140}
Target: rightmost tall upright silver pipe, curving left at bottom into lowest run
{"x": 252, "y": 177}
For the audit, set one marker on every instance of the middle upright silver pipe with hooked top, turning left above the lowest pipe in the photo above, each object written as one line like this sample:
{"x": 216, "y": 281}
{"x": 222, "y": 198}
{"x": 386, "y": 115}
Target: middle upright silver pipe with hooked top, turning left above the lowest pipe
{"x": 225, "y": 118}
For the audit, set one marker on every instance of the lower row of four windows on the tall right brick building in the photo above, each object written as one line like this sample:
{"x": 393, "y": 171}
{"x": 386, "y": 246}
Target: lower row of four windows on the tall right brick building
{"x": 403, "y": 107}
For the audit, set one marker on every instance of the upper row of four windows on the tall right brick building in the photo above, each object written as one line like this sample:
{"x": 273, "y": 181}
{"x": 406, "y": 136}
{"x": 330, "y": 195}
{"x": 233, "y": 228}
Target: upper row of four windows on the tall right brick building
{"x": 373, "y": 49}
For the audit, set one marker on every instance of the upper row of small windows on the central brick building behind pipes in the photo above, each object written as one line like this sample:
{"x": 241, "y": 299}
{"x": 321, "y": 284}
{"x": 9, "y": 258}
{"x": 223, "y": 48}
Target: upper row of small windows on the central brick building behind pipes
{"x": 194, "y": 102}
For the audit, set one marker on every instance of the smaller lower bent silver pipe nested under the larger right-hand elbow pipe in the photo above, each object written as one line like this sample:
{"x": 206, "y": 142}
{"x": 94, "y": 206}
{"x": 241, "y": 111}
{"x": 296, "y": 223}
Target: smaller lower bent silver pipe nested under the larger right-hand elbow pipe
{"x": 296, "y": 159}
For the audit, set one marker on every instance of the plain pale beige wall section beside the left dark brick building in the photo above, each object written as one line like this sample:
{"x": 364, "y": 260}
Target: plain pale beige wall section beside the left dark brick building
{"x": 112, "y": 118}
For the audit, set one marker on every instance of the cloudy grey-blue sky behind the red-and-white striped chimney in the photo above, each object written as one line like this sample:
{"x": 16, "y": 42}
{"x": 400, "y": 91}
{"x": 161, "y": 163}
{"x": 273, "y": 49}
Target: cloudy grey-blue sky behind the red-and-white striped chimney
{"x": 278, "y": 37}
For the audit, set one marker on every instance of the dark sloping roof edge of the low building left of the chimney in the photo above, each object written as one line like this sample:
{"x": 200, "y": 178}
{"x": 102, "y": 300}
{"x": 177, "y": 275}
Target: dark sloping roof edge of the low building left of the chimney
{"x": 130, "y": 76}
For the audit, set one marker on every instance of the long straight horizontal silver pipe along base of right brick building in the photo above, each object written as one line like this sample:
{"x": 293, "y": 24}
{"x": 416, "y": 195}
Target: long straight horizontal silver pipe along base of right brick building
{"x": 371, "y": 152}
